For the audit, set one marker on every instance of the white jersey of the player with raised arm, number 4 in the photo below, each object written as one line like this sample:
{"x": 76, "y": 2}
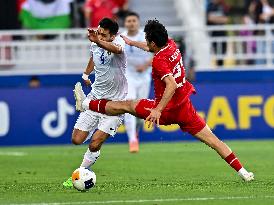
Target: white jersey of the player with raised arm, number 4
{"x": 110, "y": 80}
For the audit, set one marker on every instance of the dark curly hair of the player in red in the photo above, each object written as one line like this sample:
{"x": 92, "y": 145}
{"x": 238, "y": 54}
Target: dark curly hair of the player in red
{"x": 156, "y": 32}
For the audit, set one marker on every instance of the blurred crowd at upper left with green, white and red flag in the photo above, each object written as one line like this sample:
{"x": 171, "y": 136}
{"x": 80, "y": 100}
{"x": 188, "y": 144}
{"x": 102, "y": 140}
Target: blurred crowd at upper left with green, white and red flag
{"x": 27, "y": 14}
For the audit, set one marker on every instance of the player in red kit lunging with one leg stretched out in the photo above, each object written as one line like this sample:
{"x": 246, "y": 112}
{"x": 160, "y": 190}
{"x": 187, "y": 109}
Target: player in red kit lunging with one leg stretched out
{"x": 172, "y": 104}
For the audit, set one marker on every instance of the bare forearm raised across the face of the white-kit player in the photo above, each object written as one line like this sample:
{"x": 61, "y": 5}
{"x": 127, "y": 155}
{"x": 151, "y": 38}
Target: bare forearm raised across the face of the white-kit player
{"x": 109, "y": 46}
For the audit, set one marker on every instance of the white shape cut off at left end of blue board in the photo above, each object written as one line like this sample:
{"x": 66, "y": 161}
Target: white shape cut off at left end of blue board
{"x": 4, "y": 119}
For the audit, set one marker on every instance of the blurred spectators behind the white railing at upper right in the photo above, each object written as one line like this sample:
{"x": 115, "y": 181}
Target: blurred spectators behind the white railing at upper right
{"x": 253, "y": 12}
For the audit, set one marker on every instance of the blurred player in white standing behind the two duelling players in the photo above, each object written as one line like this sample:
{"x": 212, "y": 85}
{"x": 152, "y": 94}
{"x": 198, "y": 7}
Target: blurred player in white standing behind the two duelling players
{"x": 138, "y": 75}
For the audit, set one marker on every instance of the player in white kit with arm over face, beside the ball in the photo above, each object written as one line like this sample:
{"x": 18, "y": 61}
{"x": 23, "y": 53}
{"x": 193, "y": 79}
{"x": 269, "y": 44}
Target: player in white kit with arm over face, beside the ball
{"x": 108, "y": 60}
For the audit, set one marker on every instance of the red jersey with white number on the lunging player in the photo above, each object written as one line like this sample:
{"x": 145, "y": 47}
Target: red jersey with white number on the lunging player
{"x": 168, "y": 61}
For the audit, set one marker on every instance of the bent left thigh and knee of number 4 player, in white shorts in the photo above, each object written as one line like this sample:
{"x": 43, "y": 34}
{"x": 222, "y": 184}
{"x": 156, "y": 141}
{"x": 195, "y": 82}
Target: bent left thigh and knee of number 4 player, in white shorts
{"x": 86, "y": 123}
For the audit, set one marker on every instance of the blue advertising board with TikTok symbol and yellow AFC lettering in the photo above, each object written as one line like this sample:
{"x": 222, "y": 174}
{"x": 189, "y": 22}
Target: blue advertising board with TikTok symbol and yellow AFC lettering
{"x": 239, "y": 110}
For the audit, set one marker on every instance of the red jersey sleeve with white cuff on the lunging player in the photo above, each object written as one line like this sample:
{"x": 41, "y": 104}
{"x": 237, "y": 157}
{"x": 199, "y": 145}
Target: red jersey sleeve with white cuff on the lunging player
{"x": 161, "y": 67}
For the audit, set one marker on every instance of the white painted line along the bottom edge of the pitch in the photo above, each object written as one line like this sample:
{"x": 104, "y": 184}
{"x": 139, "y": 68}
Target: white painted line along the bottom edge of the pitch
{"x": 153, "y": 200}
